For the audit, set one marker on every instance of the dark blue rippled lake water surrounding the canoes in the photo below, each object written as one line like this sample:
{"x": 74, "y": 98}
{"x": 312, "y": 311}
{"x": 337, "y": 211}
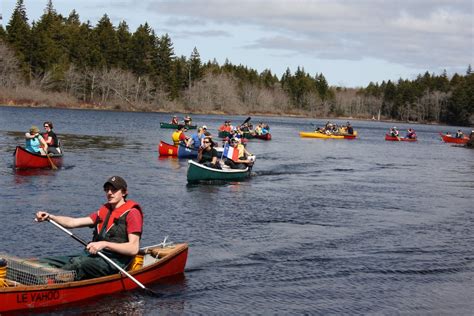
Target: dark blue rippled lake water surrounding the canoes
{"x": 359, "y": 226}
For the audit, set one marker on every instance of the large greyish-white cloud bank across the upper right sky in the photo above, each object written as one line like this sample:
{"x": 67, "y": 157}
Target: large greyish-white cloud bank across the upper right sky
{"x": 422, "y": 33}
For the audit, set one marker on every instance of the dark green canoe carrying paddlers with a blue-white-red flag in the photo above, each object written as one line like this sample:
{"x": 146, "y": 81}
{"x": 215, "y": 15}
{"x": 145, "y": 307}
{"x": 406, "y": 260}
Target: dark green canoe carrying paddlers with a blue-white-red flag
{"x": 198, "y": 172}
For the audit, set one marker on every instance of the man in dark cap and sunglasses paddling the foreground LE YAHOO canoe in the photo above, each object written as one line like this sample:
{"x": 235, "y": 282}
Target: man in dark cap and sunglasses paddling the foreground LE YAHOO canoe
{"x": 117, "y": 226}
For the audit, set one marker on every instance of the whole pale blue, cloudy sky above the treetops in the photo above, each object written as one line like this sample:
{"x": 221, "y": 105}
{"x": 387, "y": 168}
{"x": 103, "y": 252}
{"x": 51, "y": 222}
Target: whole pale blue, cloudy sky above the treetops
{"x": 351, "y": 42}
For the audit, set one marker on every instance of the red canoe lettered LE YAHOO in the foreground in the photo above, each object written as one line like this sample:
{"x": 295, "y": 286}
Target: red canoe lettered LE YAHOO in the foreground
{"x": 16, "y": 296}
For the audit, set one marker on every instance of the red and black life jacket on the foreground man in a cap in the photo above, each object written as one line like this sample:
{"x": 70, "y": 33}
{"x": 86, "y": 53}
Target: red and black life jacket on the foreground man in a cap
{"x": 116, "y": 229}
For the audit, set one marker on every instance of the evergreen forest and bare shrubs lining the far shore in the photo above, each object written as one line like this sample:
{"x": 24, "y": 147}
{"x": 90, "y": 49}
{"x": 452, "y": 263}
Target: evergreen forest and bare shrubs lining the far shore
{"x": 109, "y": 66}
